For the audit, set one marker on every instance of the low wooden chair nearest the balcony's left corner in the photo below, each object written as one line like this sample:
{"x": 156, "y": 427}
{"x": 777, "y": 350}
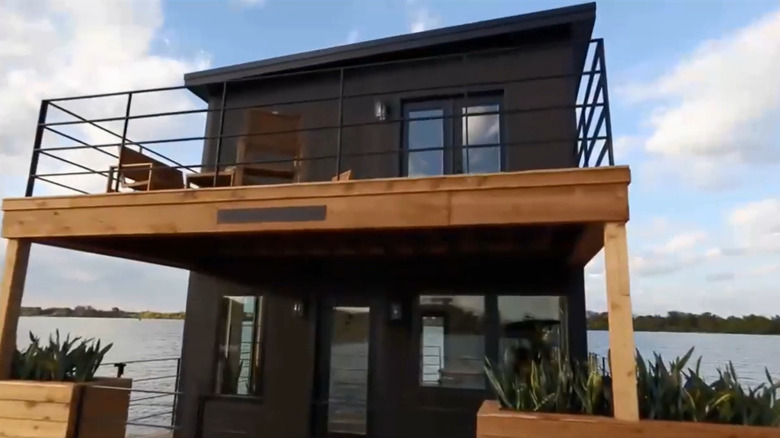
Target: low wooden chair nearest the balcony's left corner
{"x": 138, "y": 171}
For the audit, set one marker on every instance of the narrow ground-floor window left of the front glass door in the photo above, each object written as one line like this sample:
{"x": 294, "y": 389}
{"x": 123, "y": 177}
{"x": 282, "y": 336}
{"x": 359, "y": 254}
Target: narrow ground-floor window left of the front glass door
{"x": 240, "y": 349}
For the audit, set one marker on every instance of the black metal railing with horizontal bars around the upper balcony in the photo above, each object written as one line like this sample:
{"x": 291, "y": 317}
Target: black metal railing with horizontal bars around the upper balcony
{"x": 79, "y": 154}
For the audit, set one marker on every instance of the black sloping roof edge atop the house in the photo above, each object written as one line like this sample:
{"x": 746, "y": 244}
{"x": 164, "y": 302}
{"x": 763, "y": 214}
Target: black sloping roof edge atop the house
{"x": 196, "y": 81}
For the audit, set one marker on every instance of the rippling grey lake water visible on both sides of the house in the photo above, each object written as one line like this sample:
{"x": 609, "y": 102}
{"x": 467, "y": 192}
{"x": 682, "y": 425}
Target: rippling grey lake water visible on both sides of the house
{"x": 161, "y": 339}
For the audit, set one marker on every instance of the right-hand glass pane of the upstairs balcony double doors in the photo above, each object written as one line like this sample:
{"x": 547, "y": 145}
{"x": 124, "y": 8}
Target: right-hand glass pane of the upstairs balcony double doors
{"x": 481, "y": 130}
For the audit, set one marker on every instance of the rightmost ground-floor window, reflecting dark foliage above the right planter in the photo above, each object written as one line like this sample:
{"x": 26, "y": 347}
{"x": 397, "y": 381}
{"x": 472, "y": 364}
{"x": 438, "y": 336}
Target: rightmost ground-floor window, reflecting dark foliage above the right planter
{"x": 530, "y": 327}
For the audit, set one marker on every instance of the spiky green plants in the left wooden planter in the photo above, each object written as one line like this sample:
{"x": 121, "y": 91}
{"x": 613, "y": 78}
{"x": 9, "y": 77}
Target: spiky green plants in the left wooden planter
{"x": 74, "y": 360}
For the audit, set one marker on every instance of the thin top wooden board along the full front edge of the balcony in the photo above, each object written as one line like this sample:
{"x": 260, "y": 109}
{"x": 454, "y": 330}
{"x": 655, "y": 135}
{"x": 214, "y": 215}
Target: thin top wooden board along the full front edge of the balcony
{"x": 538, "y": 178}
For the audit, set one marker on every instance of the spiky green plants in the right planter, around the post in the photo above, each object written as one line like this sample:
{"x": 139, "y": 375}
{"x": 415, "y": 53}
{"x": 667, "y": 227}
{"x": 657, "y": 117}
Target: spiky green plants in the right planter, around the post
{"x": 665, "y": 392}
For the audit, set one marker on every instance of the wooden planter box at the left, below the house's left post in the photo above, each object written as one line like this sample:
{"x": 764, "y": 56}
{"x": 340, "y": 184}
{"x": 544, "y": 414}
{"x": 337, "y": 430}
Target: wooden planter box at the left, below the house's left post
{"x": 64, "y": 409}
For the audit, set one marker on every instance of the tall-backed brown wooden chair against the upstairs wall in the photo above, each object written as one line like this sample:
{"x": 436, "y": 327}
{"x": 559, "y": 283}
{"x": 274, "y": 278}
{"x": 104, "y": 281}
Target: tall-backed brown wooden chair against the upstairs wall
{"x": 282, "y": 140}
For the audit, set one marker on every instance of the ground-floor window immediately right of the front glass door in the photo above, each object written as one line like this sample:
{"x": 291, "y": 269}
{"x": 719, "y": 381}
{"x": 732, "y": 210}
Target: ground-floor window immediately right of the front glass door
{"x": 452, "y": 347}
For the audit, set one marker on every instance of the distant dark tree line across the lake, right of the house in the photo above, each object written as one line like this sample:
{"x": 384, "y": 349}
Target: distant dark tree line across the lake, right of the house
{"x": 692, "y": 322}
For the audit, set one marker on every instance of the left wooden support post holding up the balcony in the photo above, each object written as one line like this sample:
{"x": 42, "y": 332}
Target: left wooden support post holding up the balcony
{"x": 11, "y": 289}
